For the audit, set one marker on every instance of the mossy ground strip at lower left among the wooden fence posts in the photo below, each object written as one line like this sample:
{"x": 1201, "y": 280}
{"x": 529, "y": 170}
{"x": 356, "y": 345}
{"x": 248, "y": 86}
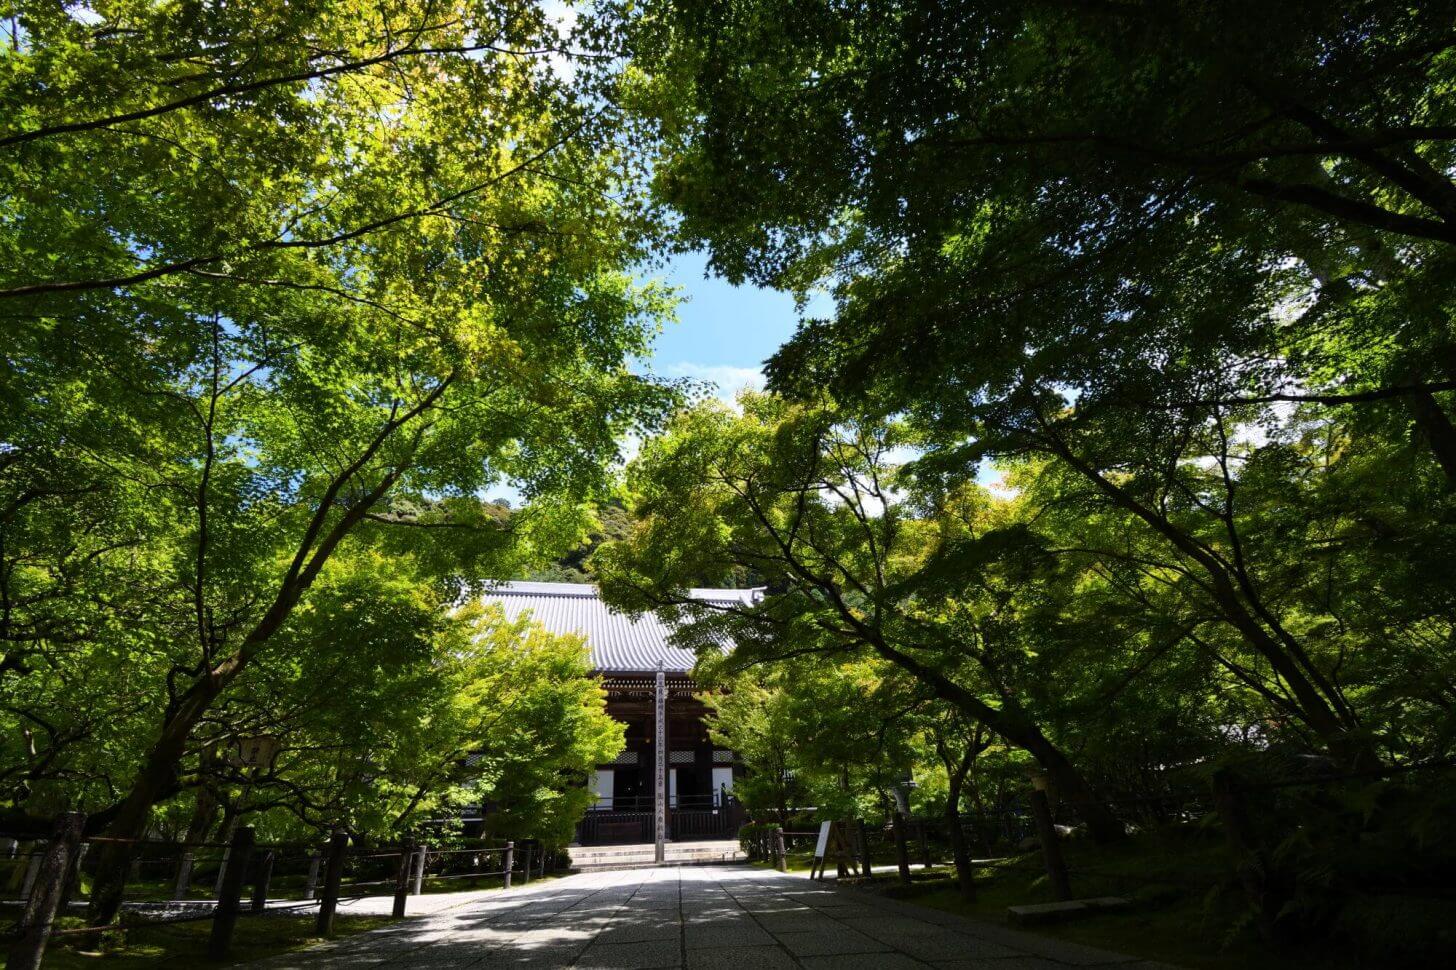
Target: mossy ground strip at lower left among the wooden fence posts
{"x": 186, "y": 945}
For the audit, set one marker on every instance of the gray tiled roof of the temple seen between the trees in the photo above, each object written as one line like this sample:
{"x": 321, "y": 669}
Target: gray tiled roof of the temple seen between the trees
{"x": 618, "y": 643}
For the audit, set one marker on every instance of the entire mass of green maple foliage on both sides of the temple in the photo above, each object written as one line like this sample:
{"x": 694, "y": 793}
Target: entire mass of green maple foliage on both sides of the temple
{"x": 1126, "y": 452}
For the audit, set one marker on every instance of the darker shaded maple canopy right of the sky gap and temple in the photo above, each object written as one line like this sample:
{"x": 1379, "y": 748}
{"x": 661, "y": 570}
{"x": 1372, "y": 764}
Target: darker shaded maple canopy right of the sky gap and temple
{"x": 1163, "y": 293}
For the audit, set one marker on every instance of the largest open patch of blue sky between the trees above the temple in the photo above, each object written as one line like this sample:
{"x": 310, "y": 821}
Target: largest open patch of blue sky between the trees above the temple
{"x": 724, "y": 333}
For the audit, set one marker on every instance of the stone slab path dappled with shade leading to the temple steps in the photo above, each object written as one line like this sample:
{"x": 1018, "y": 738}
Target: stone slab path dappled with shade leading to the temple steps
{"x": 710, "y": 918}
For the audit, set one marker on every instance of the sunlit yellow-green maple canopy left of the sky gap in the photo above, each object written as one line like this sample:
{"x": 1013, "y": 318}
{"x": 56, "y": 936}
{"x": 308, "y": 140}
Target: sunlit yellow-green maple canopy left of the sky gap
{"x": 288, "y": 289}
